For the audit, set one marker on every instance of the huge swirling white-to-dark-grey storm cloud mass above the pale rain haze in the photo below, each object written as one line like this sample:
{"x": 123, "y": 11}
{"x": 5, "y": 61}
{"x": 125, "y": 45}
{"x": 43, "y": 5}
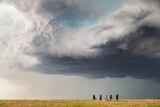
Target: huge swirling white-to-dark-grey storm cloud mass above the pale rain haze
{"x": 91, "y": 38}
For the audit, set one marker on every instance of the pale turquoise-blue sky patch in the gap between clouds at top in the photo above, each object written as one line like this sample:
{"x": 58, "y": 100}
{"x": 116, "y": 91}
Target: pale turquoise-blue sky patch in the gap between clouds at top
{"x": 101, "y": 9}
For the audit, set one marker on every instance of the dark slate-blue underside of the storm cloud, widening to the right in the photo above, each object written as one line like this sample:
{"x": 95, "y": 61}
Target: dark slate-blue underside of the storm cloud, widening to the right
{"x": 118, "y": 62}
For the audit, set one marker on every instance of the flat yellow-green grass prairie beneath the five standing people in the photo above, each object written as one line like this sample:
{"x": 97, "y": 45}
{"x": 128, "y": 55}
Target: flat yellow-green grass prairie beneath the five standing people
{"x": 79, "y": 103}
